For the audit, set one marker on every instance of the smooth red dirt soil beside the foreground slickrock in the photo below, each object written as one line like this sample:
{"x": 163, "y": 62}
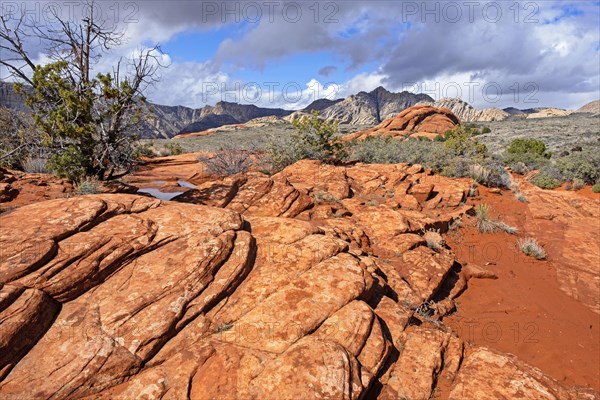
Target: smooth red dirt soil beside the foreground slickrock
{"x": 527, "y": 311}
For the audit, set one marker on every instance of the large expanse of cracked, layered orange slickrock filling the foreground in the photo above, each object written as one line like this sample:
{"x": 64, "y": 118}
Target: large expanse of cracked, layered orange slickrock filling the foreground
{"x": 312, "y": 283}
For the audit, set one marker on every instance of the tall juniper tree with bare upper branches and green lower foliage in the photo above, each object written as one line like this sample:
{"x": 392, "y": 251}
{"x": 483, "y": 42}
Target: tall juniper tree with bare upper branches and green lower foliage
{"x": 88, "y": 122}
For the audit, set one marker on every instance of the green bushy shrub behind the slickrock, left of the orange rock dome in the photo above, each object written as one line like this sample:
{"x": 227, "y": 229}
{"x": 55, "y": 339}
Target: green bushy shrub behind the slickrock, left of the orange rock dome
{"x": 314, "y": 138}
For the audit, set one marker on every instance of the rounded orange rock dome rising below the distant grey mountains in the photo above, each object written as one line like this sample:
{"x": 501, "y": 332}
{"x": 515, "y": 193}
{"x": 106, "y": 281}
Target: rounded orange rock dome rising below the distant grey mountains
{"x": 420, "y": 120}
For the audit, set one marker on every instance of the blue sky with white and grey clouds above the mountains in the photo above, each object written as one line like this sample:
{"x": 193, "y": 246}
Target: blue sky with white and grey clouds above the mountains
{"x": 537, "y": 53}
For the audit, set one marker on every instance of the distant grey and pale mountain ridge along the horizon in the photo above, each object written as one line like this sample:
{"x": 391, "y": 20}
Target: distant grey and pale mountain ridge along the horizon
{"x": 362, "y": 108}
